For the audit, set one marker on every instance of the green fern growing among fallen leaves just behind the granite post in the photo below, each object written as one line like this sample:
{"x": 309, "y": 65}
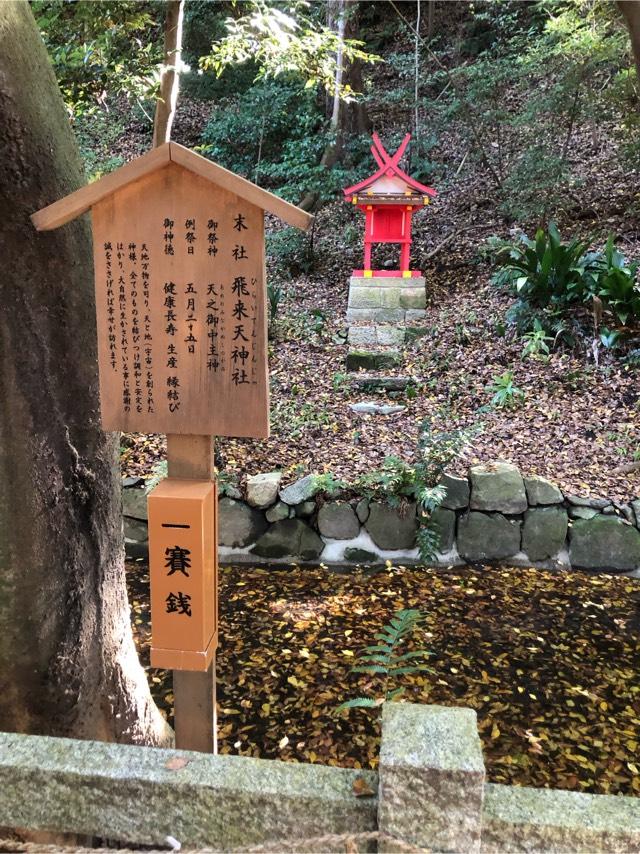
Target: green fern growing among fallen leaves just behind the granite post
{"x": 385, "y": 660}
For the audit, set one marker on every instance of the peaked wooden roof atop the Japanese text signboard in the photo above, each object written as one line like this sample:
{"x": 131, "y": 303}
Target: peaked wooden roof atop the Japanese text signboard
{"x": 71, "y": 206}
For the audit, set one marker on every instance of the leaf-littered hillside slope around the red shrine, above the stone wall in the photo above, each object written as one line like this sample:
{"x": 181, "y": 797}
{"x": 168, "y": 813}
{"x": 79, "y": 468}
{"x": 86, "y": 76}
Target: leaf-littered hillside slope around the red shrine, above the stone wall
{"x": 578, "y": 421}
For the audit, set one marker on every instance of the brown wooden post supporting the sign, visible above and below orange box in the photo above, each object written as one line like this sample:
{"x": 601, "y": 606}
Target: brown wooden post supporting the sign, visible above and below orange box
{"x": 194, "y": 692}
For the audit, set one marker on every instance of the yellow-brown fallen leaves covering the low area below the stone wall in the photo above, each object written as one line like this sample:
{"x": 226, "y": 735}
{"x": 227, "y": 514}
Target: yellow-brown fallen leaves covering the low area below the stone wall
{"x": 547, "y": 660}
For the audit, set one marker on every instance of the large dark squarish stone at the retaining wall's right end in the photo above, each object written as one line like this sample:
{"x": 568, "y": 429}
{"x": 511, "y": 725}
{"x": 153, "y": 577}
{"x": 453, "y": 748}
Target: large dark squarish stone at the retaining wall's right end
{"x": 604, "y": 542}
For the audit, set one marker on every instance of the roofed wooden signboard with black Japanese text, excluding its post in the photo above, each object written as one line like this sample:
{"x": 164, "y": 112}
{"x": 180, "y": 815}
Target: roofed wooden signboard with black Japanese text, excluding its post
{"x": 180, "y": 293}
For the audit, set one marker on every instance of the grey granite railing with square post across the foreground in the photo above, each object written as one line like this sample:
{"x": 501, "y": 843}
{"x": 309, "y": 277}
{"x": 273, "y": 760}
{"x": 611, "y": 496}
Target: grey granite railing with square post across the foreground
{"x": 429, "y": 793}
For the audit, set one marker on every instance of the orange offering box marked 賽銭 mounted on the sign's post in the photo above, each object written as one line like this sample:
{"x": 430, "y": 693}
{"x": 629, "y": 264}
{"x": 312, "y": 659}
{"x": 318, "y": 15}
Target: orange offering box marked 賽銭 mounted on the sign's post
{"x": 183, "y": 569}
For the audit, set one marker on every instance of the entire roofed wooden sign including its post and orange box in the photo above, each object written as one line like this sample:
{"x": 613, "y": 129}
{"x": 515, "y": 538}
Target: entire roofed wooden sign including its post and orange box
{"x": 182, "y": 350}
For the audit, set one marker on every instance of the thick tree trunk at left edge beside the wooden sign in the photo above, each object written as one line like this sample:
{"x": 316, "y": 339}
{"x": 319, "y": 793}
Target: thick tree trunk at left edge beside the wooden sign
{"x": 68, "y": 665}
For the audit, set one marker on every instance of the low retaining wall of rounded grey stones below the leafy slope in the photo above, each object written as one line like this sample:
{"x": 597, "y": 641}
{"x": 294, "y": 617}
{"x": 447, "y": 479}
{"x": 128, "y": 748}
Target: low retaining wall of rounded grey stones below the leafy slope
{"x": 492, "y": 514}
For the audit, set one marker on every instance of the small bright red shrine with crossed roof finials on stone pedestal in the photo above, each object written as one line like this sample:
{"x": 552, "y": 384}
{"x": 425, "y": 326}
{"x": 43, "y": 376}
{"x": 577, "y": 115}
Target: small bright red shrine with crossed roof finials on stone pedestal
{"x": 389, "y": 198}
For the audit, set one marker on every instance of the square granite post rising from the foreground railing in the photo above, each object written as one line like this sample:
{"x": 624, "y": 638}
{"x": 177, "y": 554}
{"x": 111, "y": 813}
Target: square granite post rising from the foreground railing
{"x": 431, "y": 777}
